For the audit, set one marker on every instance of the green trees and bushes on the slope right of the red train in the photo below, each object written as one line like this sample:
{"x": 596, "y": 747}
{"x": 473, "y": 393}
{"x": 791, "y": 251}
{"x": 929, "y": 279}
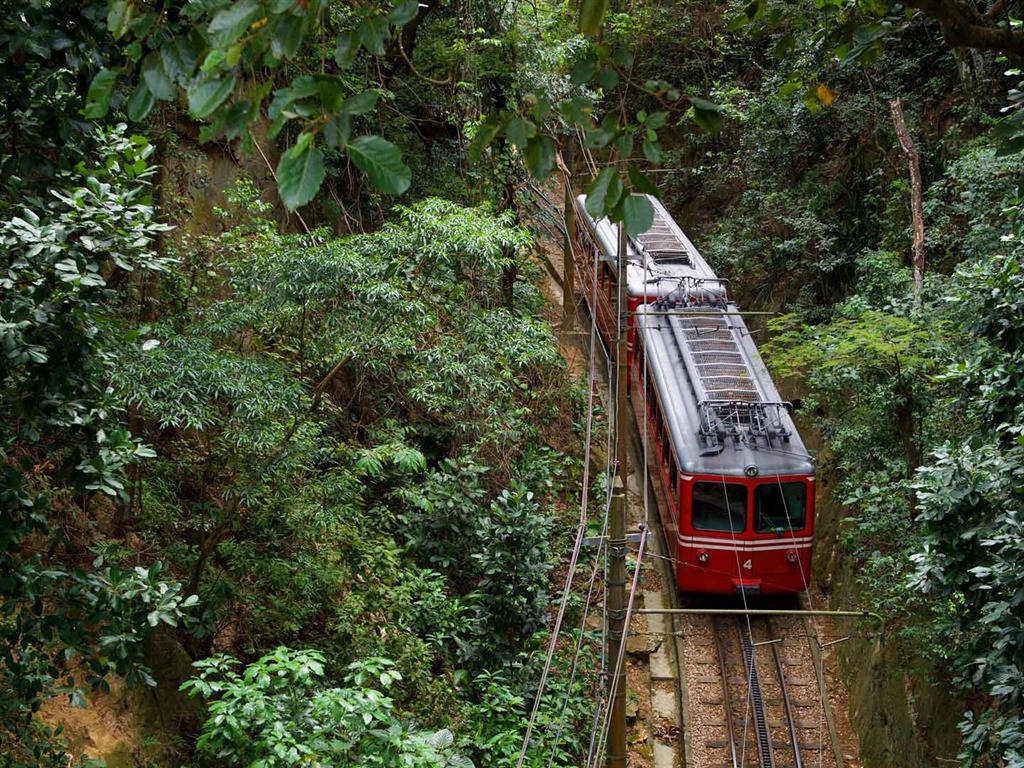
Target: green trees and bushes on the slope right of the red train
{"x": 938, "y": 393}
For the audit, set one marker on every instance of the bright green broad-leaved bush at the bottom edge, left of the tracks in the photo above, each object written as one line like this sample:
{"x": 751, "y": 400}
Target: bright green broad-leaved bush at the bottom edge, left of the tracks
{"x": 279, "y": 712}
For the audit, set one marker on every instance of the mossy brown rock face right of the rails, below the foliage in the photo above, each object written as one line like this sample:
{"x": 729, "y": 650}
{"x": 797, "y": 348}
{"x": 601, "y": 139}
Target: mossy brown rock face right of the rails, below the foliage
{"x": 903, "y": 714}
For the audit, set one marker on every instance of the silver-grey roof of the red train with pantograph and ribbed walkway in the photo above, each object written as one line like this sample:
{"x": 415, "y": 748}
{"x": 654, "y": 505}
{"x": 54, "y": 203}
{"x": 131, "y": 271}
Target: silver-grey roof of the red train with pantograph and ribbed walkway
{"x": 722, "y": 409}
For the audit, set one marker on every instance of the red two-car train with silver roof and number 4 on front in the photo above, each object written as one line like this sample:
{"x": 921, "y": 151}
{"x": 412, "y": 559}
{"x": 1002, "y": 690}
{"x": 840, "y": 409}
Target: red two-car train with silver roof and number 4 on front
{"x": 734, "y": 480}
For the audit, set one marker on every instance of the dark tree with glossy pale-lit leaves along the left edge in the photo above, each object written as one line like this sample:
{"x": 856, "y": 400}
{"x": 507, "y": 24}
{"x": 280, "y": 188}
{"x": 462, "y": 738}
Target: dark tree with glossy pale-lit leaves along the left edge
{"x": 70, "y": 264}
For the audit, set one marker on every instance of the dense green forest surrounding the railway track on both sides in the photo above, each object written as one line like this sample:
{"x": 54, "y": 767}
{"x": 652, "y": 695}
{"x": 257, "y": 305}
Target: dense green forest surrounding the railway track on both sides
{"x": 286, "y": 441}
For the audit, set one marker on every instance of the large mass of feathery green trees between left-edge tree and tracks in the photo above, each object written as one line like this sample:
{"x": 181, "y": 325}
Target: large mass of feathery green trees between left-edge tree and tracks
{"x": 345, "y": 430}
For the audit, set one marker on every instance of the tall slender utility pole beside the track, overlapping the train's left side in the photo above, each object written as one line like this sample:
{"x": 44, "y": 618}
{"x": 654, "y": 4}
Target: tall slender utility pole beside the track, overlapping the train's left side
{"x": 616, "y": 600}
